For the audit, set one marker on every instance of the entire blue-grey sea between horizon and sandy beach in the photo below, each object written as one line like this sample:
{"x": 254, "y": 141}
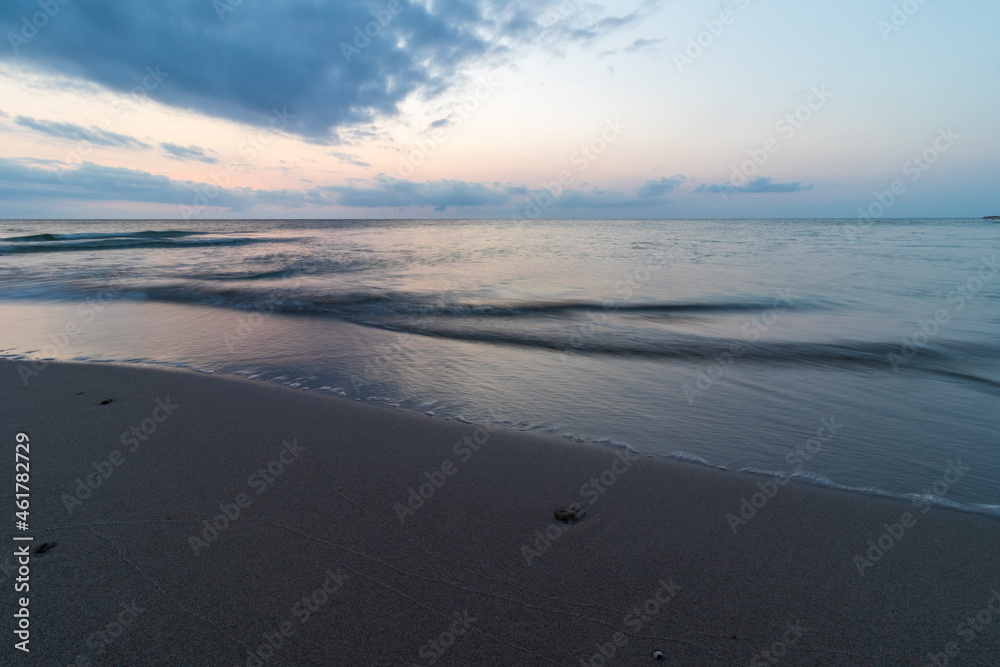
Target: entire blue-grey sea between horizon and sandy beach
{"x": 865, "y": 358}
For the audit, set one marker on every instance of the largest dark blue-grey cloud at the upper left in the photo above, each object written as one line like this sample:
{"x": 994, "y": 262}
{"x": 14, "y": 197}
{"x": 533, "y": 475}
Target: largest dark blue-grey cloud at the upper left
{"x": 244, "y": 60}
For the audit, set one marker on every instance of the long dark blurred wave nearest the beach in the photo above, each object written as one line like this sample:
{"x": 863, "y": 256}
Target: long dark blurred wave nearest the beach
{"x": 556, "y": 326}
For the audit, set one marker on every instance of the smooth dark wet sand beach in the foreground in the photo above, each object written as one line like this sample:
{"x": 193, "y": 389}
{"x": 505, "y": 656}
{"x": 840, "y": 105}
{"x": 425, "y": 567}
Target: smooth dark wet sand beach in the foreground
{"x": 329, "y": 554}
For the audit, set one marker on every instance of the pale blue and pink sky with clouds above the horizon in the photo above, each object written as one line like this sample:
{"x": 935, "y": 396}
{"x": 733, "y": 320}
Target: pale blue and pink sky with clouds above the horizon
{"x": 530, "y": 109}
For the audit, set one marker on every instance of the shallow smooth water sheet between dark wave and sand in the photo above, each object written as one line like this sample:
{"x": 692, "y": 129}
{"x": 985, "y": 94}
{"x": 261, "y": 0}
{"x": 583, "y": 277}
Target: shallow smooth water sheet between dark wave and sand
{"x": 896, "y": 438}
